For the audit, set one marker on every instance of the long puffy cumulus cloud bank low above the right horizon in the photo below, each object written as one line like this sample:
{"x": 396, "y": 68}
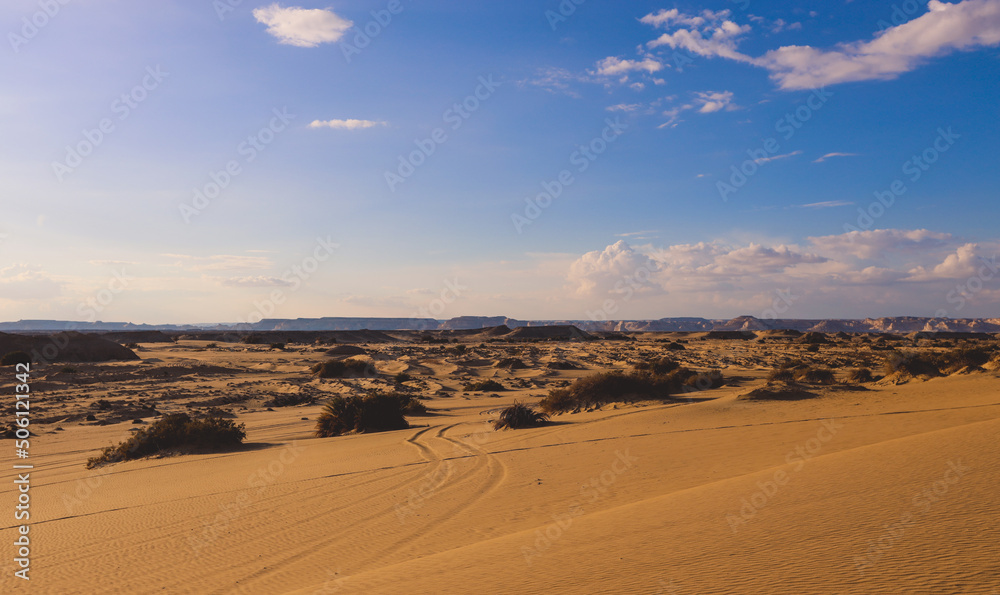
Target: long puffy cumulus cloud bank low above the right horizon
{"x": 854, "y": 274}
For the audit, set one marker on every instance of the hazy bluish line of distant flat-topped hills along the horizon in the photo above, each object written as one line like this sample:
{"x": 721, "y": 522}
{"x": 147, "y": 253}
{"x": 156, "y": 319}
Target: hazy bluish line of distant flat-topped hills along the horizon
{"x": 894, "y": 324}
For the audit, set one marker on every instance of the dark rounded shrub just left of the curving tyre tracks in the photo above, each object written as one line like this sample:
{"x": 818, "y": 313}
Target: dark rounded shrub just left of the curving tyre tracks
{"x": 374, "y": 412}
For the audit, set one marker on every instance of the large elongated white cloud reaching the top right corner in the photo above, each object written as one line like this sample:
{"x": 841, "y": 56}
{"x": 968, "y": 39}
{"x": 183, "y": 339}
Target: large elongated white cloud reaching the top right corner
{"x": 943, "y": 29}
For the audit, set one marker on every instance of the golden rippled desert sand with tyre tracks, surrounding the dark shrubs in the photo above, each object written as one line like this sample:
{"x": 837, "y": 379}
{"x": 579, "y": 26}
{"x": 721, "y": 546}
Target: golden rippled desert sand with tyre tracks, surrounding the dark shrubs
{"x": 889, "y": 489}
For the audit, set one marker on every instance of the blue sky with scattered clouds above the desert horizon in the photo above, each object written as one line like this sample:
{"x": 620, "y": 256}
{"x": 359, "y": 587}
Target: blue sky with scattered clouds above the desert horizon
{"x": 822, "y": 104}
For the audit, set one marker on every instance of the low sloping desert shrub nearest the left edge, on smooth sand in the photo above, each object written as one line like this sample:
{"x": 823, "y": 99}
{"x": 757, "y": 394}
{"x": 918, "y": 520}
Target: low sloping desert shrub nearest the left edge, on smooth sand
{"x": 177, "y": 431}
